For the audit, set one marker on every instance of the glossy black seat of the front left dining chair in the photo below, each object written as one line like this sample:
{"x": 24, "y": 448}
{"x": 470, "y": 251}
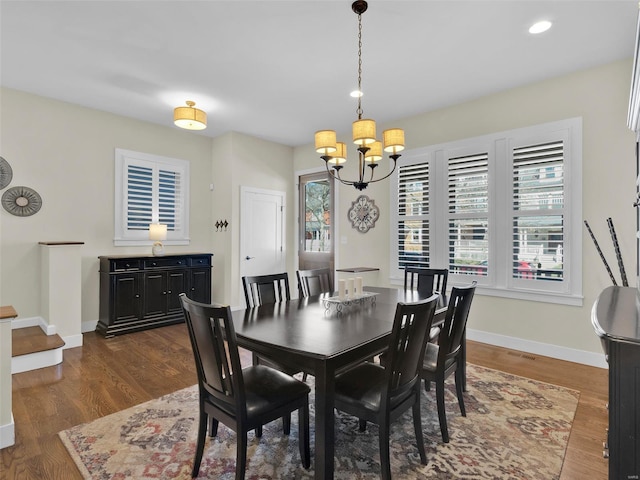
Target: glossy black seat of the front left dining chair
{"x": 267, "y": 389}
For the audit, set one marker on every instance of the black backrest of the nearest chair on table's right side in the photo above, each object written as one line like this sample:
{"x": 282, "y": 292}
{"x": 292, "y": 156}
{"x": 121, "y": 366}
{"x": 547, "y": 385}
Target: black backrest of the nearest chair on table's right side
{"x": 411, "y": 327}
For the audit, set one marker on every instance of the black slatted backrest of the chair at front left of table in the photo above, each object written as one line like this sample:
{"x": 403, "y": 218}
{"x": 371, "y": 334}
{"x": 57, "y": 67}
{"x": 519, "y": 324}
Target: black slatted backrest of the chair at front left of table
{"x": 213, "y": 340}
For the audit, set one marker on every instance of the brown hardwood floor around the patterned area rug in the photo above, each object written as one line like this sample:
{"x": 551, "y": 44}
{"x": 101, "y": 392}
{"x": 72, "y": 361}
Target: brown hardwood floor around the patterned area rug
{"x": 108, "y": 375}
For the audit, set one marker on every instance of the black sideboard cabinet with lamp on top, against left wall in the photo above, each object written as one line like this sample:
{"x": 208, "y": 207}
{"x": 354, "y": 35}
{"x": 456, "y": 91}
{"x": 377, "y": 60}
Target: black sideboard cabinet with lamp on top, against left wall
{"x": 141, "y": 292}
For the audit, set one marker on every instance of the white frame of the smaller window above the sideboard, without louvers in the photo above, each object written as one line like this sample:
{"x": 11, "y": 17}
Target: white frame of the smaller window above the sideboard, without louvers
{"x": 123, "y": 236}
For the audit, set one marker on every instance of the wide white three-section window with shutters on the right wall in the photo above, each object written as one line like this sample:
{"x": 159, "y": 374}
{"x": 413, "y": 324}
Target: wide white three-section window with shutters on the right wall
{"x": 502, "y": 209}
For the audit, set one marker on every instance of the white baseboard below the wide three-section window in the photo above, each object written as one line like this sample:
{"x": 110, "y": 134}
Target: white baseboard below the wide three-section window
{"x": 545, "y": 349}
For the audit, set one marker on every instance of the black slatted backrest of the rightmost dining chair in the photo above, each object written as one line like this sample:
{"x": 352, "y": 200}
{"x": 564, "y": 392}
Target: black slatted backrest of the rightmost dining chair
{"x": 455, "y": 322}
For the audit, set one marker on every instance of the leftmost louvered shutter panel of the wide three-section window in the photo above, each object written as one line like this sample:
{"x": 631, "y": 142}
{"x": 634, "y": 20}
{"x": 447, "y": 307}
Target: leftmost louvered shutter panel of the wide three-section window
{"x": 413, "y": 215}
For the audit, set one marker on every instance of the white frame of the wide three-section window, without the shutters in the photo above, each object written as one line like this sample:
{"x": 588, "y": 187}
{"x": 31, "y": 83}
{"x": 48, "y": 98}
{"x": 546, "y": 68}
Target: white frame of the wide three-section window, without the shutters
{"x": 500, "y": 147}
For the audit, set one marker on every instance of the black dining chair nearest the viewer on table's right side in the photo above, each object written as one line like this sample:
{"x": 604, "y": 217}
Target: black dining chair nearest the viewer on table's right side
{"x": 381, "y": 395}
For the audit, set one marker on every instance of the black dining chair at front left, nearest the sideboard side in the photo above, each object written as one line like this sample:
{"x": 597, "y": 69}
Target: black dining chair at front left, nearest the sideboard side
{"x": 242, "y": 399}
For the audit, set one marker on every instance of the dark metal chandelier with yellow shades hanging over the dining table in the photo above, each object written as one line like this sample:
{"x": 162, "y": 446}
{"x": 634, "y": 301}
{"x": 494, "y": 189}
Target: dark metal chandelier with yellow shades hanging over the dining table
{"x": 369, "y": 148}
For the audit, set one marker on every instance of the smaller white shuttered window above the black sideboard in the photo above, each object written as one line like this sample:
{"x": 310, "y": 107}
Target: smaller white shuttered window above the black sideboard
{"x": 150, "y": 189}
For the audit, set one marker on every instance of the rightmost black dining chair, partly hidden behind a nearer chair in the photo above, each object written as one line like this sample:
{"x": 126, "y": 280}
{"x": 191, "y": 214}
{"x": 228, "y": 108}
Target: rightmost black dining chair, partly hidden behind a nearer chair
{"x": 445, "y": 357}
